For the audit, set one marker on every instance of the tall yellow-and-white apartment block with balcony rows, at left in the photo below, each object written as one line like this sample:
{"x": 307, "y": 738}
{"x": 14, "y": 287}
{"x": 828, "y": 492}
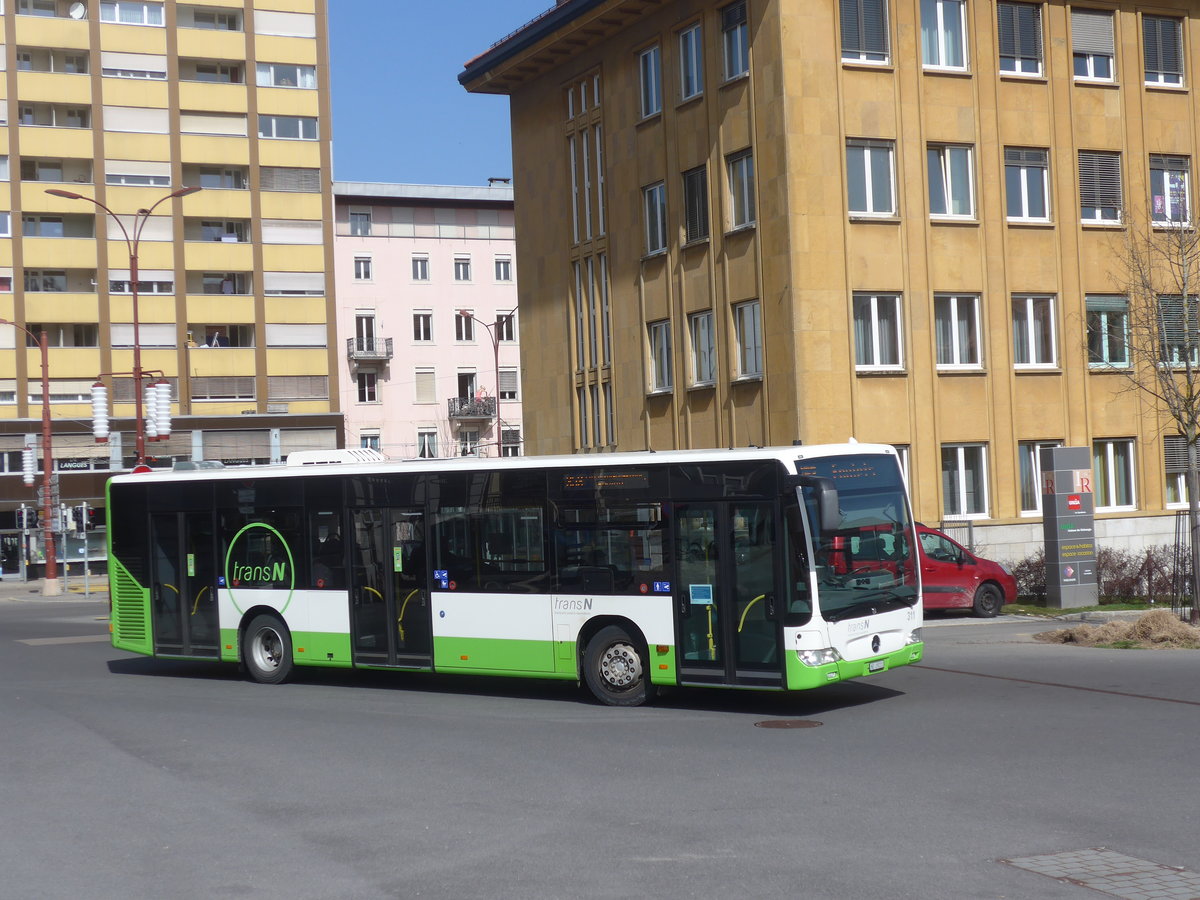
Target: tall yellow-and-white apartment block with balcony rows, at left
{"x": 125, "y": 103}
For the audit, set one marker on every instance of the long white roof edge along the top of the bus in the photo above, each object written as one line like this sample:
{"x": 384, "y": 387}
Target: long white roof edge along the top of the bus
{"x": 475, "y": 464}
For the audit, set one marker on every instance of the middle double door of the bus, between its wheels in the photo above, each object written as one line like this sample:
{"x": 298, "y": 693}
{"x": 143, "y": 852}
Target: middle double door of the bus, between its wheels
{"x": 389, "y": 590}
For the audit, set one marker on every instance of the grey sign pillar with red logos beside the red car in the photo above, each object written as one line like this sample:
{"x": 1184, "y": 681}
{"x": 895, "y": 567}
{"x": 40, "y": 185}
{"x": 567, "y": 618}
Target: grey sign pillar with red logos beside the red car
{"x": 1069, "y": 527}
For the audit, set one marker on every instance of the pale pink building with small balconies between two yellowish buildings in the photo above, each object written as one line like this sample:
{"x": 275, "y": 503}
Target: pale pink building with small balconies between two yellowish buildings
{"x": 427, "y": 310}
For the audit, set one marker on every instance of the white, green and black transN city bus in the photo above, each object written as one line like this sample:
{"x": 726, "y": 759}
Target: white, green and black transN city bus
{"x": 770, "y": 569}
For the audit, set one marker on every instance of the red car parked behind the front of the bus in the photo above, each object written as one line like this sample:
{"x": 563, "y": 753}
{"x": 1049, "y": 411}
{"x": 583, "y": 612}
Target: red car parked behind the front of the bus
{"x": 953, "y": 578}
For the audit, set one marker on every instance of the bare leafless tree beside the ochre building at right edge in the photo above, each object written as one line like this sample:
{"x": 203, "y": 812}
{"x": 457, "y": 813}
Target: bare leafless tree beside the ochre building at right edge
{"x": 1159, "y": 267}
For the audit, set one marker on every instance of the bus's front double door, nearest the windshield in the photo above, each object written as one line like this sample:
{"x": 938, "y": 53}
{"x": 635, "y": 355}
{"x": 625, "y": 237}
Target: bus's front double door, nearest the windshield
{"x": 727, "y": 628}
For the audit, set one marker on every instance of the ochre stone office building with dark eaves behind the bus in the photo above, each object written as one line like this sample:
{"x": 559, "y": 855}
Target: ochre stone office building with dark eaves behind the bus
{"x": 770, "y": 221}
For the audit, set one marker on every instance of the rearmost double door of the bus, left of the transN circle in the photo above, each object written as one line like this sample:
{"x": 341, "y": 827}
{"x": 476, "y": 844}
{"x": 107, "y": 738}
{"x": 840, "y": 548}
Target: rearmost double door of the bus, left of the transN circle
{"x": 183, "y": 590}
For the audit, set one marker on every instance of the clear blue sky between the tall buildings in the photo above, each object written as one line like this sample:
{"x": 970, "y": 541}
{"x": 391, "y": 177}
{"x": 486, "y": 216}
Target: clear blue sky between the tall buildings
{"x": 399, "y": 111}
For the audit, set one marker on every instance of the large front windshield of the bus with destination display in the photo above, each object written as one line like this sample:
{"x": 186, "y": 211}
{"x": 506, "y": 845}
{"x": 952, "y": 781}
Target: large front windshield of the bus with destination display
{"x": 868, "y": 565}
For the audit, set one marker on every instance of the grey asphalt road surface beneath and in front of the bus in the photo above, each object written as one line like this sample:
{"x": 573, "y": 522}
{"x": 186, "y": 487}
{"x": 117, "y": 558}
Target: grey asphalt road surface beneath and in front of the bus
{"x": 127, "y": 777}
